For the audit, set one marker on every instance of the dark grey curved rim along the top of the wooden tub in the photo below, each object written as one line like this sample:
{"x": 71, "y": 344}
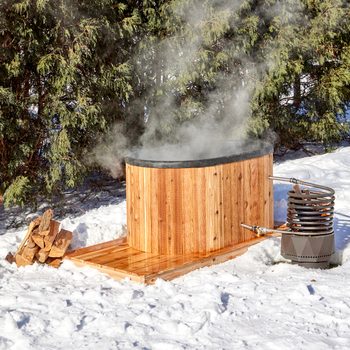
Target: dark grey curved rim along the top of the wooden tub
{"x": 262, "y": 149}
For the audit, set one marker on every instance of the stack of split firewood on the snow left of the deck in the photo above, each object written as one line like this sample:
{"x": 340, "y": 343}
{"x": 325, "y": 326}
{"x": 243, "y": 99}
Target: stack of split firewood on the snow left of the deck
{"x": 44, "y": 242}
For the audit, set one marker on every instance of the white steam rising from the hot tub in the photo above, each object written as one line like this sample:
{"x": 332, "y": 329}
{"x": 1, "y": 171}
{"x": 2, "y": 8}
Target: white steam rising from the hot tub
{"x": 176, "y": 131}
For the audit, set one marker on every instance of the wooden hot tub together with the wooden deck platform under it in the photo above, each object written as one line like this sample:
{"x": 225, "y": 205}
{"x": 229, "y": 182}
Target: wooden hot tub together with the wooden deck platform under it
{"x": 186, "y": 214}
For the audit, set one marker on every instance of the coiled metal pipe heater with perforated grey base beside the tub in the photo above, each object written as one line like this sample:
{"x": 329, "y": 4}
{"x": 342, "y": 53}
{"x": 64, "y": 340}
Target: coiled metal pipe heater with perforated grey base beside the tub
{"x": 309, "y": 240}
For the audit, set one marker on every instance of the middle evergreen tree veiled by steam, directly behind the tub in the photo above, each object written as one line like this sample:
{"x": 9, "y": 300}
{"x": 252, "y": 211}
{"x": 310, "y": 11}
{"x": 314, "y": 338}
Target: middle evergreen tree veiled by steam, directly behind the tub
{"x": 194, "y": 57}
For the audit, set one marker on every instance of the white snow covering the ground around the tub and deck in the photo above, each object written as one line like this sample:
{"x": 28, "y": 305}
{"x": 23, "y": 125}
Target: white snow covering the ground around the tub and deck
{"x": 257, "y": 301}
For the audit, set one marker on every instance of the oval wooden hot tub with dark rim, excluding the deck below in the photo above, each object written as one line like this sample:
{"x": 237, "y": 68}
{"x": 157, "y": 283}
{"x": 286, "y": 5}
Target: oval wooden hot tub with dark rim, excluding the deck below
{"x": 196, "y": 206}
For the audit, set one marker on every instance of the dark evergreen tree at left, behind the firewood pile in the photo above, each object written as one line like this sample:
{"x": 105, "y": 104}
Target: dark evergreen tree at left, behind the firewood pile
{"x": 64, "y": 77}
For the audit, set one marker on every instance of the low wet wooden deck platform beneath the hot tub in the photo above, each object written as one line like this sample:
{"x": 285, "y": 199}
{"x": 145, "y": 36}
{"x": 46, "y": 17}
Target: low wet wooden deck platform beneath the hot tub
{"x": 117, "y": 259}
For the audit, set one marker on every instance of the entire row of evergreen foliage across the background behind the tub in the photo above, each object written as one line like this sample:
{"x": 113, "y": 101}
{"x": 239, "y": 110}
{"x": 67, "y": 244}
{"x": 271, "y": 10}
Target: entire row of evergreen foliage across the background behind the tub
{"x": 70, "y": 69}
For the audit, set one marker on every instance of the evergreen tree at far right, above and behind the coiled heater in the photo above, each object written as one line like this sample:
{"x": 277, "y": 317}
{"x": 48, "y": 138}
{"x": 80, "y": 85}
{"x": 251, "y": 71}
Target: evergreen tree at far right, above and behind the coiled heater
{"x": 306, "y": 93}
